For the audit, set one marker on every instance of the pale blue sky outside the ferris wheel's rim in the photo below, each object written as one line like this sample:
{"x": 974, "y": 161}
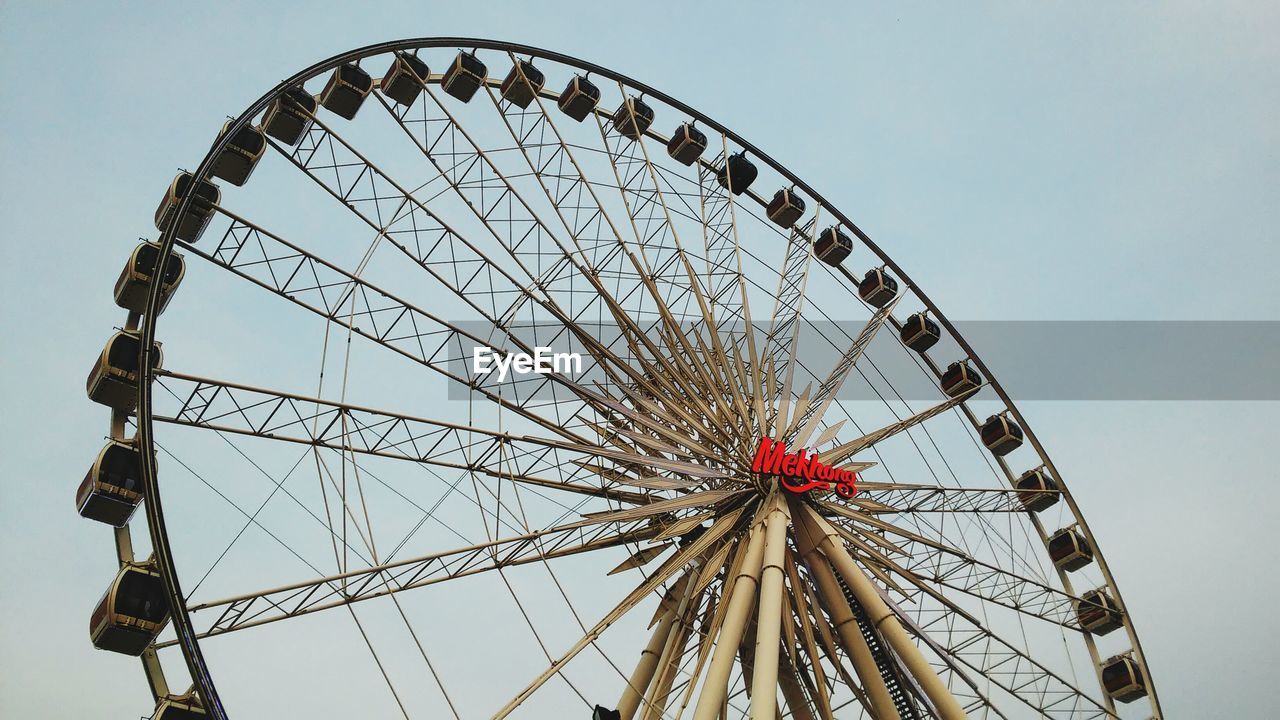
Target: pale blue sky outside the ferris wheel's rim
{"x": 1101, "y": 162}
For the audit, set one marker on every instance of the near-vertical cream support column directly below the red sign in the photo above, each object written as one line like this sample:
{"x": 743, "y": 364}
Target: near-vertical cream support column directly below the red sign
{"x": 765, "y": 678}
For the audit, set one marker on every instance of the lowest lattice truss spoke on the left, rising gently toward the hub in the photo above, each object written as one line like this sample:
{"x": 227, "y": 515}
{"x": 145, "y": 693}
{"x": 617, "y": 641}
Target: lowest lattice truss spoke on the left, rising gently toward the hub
{"x": 257, "y": 609}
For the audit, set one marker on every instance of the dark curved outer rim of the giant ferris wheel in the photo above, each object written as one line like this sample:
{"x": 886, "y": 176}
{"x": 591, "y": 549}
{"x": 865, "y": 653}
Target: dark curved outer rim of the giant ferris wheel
{"x": 163, "y": 555}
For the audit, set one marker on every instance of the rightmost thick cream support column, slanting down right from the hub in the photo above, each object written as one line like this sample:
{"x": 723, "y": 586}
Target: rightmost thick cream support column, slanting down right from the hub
{"x": 880, "y": 614}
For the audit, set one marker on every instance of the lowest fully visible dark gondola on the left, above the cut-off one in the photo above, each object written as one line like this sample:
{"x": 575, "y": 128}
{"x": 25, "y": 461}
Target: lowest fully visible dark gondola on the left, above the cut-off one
{"x": 132, "y": 613}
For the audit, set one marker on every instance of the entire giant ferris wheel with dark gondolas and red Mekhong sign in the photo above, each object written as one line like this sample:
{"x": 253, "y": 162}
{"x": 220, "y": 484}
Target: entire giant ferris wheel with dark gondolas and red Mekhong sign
{"x": 497, "y": 384}
